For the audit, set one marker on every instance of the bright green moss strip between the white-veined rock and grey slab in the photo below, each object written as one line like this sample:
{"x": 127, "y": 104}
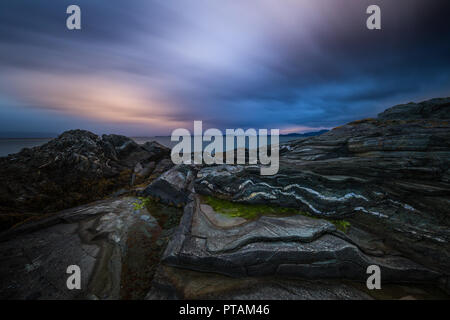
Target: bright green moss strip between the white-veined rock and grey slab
{"x": 253, "y": 211}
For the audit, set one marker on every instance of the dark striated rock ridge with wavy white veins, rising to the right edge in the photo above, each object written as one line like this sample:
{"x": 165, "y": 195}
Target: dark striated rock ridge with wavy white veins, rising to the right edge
{"x": 389, "y": 175}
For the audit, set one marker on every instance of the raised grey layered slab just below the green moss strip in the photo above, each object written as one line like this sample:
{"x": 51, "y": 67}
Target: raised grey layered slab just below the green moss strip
{"x": 283, "y": 246}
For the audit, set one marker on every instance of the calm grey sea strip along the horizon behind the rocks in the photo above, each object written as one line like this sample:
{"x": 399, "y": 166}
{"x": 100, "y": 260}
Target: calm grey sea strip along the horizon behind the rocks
{"x": 9, "y": 146}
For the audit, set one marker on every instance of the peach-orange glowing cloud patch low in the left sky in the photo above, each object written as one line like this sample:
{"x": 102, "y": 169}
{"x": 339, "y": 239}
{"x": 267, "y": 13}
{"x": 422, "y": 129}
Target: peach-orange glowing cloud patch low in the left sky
{"x": 97, "y": 98}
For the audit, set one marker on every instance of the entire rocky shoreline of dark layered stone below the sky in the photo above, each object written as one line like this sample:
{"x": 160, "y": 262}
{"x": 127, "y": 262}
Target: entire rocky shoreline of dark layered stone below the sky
{"x": 154, "y": 234}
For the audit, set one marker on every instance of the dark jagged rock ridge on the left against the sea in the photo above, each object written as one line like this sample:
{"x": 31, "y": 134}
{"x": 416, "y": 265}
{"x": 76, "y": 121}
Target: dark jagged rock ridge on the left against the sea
{"x": 74, "y": 168}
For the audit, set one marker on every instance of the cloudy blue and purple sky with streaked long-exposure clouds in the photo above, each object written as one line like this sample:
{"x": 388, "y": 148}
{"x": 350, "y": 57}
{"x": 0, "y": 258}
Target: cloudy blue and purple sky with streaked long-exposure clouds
{"x": 147, "y": 67}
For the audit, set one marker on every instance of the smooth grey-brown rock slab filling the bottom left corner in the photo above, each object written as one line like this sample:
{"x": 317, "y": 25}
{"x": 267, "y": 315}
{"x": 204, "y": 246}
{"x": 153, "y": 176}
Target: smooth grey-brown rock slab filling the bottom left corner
{"x": 115, "y": 246}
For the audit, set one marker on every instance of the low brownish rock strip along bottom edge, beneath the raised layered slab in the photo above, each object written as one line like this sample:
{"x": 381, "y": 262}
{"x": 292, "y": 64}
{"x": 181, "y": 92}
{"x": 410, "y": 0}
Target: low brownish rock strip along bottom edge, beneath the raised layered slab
{"x": 176, "y": 283}
